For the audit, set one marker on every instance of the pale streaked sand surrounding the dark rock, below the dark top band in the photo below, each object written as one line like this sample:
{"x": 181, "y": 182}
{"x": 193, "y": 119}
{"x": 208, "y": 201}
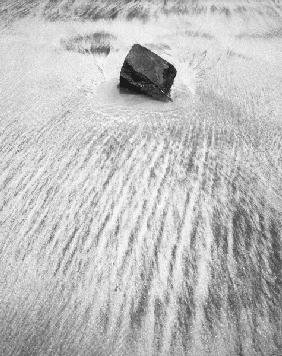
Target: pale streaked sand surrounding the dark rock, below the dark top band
{"x": 132, "y": 227}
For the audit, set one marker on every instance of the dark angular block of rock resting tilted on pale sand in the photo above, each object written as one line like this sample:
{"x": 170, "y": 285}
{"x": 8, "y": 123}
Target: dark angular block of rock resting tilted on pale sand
{"x": 145, "y": 72}
